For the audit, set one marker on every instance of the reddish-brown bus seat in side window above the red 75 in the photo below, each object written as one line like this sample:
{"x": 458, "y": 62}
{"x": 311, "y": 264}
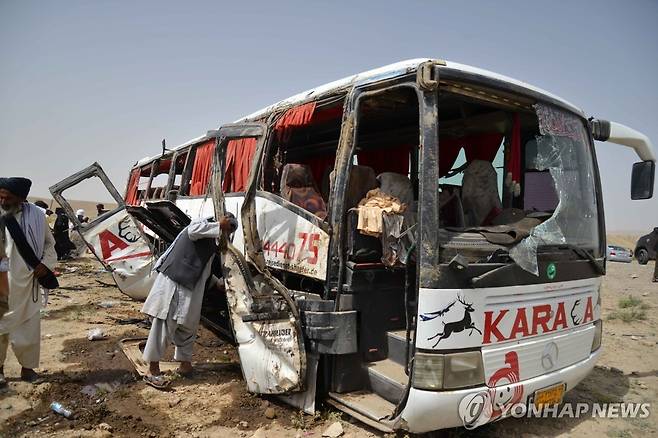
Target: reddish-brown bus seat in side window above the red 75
{"x": 298, "y": 187}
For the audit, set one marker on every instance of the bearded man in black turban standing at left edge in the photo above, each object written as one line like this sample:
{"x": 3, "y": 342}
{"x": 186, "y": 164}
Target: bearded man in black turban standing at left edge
{"x": 21, "y": 325}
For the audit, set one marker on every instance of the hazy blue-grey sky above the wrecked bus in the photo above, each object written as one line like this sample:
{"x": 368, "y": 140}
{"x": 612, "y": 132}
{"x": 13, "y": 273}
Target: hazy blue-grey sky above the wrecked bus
{"x": 106, "y": 81}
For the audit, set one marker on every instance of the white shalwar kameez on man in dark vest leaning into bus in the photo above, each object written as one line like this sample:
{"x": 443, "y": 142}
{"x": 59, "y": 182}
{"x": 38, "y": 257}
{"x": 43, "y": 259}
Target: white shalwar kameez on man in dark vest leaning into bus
{"x": 175, "y": 309}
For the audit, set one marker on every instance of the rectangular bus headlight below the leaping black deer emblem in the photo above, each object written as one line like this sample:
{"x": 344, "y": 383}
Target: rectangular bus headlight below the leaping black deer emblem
{"x": 448, "y": 371}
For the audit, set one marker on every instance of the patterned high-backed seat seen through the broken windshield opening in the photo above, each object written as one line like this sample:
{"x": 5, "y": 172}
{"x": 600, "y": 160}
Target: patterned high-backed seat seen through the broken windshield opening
{"x": 480, "y": 193}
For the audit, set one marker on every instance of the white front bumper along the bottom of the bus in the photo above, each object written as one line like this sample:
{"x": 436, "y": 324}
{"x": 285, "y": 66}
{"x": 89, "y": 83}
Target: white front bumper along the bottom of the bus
{"x": 427, "y": 411}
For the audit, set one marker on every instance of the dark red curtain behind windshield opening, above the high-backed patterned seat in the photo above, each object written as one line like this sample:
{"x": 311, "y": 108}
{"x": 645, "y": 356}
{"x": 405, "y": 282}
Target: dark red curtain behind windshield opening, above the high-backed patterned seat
{"x": 477, "y": 147}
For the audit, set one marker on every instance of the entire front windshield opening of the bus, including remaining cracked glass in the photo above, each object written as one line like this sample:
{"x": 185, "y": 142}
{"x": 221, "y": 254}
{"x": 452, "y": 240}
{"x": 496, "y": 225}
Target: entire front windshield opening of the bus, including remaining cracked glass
{"x": 513, "y": 181}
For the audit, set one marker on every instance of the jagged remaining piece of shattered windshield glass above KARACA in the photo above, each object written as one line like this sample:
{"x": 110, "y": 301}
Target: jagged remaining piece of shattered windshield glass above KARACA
{"x": 563, "y": 149}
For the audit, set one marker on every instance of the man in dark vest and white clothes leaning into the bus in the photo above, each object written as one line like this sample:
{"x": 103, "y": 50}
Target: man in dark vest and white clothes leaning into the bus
{"x": 177, "y": 294}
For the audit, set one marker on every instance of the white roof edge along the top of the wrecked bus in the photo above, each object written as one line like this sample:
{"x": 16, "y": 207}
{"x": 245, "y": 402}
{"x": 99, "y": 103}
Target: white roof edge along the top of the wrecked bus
{"x": 386, "y": 72}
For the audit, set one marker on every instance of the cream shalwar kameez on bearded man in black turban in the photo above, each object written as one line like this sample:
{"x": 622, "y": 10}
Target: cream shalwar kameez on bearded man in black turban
{"x": 21, "y": 325}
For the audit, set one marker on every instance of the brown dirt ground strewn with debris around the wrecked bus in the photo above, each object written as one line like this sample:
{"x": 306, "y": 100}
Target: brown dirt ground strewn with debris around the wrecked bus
{"x": 96, "y": 381}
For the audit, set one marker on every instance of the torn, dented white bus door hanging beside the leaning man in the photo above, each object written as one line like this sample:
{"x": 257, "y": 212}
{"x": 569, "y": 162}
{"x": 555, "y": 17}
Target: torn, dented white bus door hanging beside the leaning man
{"x": 265, "y": 320}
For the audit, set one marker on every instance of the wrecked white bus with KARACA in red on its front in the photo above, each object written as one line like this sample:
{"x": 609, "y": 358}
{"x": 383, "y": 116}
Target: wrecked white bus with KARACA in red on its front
{"x": 420, "y": 245}
